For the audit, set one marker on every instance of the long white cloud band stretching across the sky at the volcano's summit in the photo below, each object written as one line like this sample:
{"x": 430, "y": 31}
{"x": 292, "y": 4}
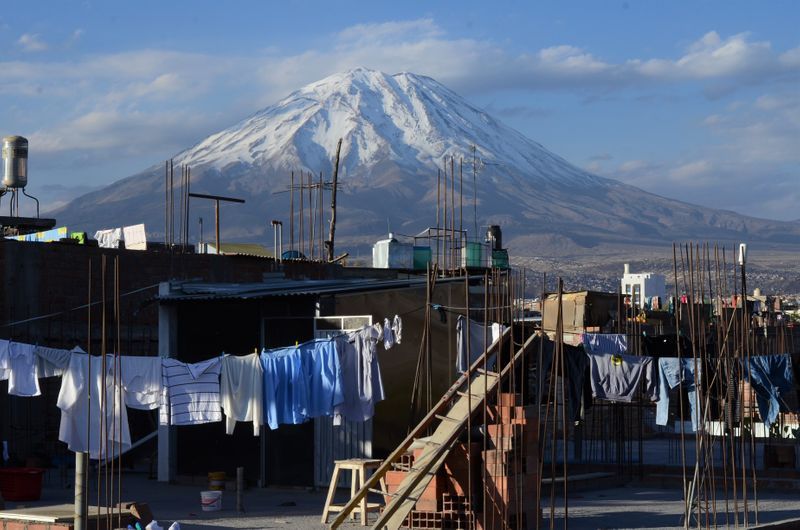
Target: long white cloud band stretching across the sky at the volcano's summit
{"x": 421, "y": 46}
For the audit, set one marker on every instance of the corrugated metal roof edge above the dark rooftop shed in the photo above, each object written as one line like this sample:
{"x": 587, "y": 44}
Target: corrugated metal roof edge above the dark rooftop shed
{"x": 284, "y": 287}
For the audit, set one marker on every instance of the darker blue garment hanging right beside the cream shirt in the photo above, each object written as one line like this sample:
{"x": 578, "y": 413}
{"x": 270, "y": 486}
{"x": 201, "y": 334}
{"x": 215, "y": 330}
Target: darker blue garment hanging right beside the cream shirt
{"x": 285, "y": 387}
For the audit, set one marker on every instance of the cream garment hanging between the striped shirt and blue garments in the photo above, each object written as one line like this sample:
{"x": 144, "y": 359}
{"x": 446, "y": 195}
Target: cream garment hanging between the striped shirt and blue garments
{"x": 241, "y": 389}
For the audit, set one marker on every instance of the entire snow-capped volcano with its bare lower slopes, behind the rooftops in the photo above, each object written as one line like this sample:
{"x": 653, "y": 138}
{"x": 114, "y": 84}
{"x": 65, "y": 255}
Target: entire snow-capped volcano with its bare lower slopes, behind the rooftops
{"x": 396, "y": 131}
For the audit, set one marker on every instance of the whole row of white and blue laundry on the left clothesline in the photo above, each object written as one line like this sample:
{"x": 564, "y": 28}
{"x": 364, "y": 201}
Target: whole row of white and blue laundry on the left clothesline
{"x": 337, "y": 377}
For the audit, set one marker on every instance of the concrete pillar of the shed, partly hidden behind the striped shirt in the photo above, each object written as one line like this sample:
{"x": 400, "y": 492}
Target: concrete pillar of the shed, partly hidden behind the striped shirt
{"x": 167, "y": 347}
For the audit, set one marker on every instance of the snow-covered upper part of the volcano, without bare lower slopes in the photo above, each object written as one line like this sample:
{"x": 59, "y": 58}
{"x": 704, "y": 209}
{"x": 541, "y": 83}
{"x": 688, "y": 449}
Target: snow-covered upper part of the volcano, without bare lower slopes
{"x": 408, "y": 120}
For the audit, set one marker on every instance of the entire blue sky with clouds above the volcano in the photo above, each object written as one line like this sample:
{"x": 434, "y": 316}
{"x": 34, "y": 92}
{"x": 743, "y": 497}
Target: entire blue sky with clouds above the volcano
{"x": 697, "y": 100}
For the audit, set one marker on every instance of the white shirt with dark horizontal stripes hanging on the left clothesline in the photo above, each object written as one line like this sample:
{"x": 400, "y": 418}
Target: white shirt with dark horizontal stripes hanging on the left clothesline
{"x": 190, "y": 392}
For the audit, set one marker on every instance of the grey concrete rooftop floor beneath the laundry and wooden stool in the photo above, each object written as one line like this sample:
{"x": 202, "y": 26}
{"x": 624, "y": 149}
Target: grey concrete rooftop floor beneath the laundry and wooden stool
{"x": 633, "y": 506}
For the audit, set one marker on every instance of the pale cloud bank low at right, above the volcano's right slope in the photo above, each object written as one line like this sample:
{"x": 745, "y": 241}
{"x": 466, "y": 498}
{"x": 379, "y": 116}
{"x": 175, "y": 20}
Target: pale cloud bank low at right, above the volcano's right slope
{"x": 751, "y": 168}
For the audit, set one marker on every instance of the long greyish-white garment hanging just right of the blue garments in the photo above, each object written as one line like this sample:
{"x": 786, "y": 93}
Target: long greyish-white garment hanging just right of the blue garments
{"x": 362, "y": 385}
